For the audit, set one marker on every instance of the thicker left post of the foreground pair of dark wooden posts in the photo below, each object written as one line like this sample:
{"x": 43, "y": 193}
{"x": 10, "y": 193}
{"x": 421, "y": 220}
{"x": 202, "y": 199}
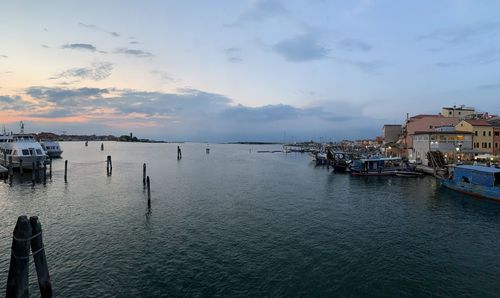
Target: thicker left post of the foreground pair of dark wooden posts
{"x": 18, "y": 279}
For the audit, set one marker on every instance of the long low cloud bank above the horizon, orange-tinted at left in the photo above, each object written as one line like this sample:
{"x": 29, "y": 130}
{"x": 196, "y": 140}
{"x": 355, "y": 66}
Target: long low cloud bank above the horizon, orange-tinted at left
{"x": 188, "y": 114}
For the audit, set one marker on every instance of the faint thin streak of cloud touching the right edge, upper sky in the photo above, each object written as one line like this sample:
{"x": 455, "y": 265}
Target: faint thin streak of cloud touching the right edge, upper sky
{"x": 464, "y": 33}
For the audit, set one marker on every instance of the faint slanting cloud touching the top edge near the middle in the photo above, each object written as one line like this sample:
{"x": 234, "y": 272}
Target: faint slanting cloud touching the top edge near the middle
{"x": 260, "y": 11}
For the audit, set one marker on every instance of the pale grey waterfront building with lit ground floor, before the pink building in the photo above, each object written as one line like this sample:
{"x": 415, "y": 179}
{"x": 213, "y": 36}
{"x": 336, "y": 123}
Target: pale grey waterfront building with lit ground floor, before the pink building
{"x": 455, "y": 145}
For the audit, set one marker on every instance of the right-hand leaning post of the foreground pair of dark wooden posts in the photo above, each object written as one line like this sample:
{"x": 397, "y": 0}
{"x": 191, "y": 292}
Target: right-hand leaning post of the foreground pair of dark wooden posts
{"x": 38, "y": 252}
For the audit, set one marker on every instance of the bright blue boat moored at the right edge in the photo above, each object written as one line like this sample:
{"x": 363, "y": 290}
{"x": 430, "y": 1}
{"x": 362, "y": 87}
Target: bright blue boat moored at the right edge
{"x": 478, "y": 181}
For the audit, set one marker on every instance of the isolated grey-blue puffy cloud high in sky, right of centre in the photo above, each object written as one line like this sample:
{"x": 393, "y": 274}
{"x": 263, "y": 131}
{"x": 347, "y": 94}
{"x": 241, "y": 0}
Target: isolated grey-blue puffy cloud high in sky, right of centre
{"x": 301, "y": 48}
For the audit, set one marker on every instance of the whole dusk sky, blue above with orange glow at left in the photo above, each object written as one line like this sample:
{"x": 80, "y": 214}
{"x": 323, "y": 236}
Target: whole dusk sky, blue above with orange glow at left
{"x": 249, "y": 70}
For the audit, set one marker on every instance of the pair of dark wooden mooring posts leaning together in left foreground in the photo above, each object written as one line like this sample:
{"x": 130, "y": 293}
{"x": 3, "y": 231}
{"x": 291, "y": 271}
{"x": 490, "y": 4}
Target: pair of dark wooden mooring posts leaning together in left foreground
{"x": 27, "y": 233}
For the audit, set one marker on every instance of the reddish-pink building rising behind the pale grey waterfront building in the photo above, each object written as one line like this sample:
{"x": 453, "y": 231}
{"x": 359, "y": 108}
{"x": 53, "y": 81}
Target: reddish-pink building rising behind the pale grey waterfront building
{"x": 424, "y": 123}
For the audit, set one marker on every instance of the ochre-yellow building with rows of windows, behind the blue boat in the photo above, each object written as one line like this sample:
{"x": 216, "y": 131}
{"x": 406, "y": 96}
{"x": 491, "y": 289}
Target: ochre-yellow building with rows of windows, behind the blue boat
{"x": 482, "y": 134}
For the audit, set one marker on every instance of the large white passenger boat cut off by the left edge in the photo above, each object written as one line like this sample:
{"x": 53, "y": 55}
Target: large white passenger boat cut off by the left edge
{"x": 22, "y": 148}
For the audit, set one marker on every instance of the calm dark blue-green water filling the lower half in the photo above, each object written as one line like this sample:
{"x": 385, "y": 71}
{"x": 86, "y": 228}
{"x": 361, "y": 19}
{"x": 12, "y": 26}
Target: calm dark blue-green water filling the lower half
{"x": 239, "y": 223}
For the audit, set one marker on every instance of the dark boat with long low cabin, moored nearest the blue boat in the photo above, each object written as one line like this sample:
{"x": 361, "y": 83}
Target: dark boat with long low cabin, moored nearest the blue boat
{"x": 377, "y": 166}
